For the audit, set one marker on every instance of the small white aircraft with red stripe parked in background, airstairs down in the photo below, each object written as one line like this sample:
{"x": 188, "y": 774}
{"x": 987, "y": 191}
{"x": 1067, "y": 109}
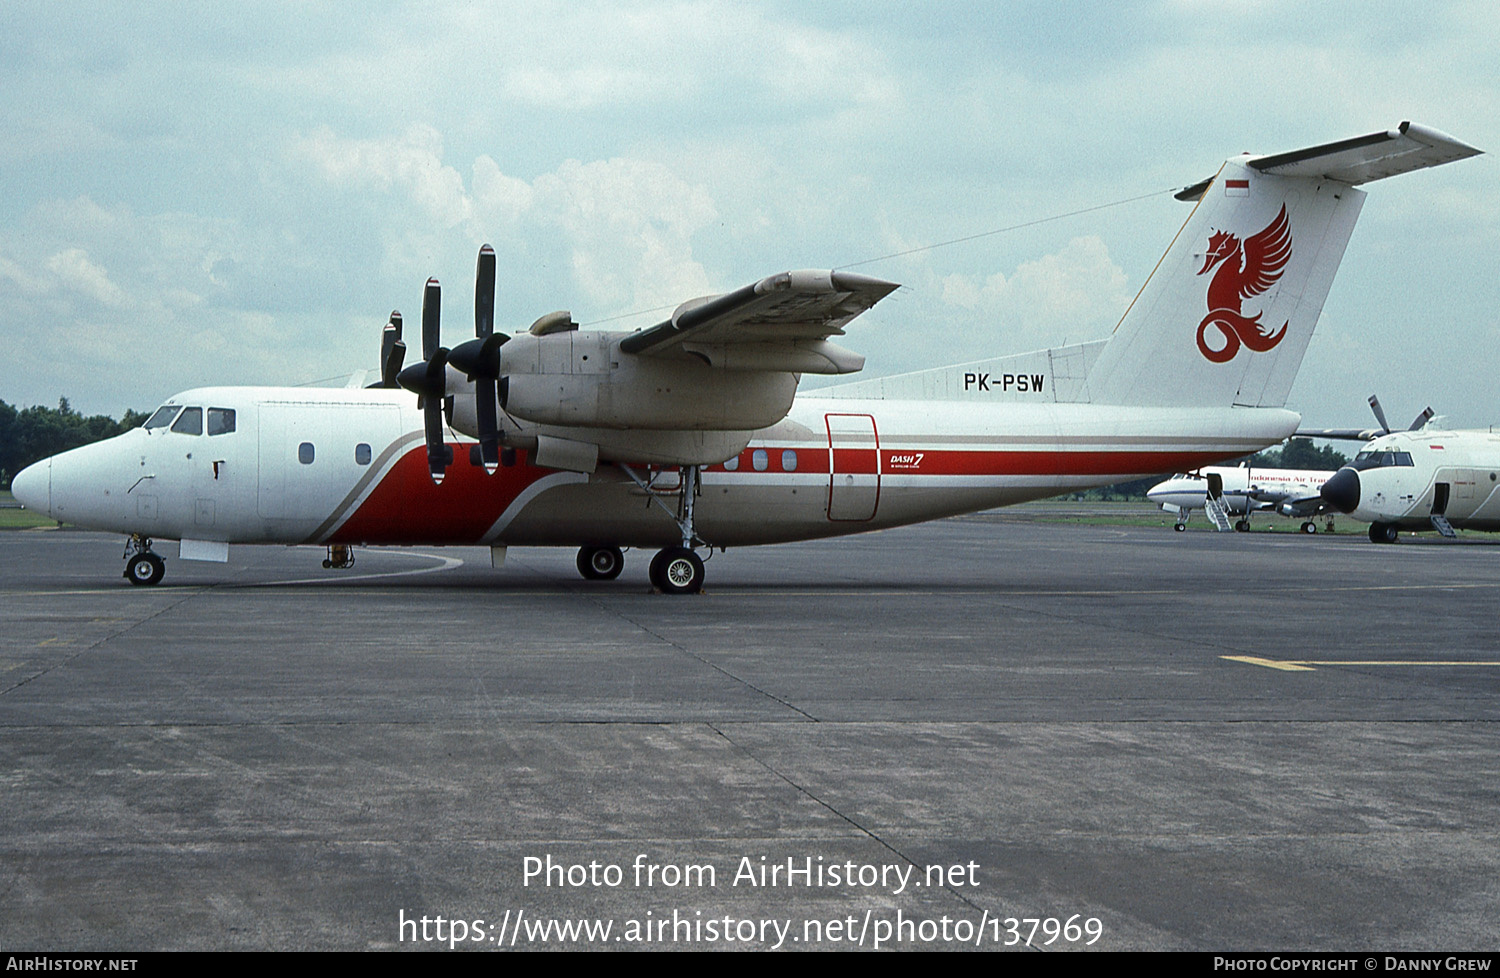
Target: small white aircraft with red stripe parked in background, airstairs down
{"x": 1222, "y": 491}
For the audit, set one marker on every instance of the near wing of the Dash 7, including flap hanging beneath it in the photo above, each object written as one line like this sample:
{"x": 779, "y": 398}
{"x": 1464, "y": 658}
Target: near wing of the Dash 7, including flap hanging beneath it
{"x": 781, "y": 323}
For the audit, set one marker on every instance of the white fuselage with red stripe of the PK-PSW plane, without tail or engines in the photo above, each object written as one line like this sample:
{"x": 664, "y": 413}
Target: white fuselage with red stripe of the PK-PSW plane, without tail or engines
{"x": 350, "y": 467}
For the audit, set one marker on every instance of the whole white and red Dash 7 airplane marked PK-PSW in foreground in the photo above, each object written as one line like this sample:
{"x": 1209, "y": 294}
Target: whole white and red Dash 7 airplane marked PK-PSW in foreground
{"x": 686, "y": 437}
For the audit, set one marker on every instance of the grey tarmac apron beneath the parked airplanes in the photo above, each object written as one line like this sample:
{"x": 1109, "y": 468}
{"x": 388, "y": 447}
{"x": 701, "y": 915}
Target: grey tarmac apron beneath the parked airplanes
{"x": 1172, "y": 742}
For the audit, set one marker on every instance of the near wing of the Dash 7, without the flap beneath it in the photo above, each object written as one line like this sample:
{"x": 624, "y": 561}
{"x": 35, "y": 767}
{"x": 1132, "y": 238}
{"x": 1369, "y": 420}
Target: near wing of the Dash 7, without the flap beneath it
{"x": 782, "y": 308}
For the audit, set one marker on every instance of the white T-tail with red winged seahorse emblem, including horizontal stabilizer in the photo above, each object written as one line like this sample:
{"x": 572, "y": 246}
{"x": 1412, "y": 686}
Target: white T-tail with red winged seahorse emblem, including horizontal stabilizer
{"x": 1231, "y": 308}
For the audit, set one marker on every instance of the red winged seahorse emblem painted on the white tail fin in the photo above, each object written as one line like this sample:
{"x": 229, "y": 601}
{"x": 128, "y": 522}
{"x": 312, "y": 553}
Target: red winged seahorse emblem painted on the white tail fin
{"x": 1246, "y": 271}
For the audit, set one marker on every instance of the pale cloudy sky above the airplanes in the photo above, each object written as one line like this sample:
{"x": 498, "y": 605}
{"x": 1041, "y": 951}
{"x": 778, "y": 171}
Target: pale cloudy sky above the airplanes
{"x": 199, "y": 196}
